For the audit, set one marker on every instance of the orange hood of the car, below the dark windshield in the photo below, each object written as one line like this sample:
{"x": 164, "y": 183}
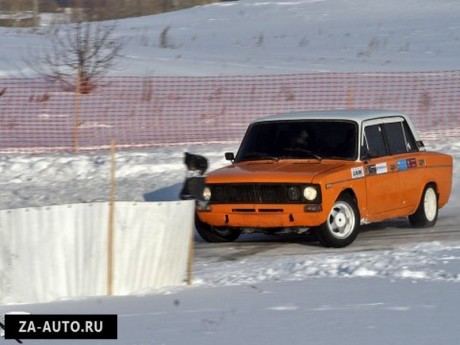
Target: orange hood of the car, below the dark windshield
{"x": 292, "y": 171}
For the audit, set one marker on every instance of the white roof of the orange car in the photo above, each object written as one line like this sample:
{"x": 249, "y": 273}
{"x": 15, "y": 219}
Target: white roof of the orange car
{"x": 354, "y": 115}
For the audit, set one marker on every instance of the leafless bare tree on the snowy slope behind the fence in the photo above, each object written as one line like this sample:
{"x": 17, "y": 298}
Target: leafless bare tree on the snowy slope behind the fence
{"x": 77, "y": 55}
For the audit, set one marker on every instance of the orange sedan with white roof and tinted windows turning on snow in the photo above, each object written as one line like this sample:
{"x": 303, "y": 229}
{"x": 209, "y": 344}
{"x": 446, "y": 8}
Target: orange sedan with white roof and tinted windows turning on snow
{"x": 327, "y": 172}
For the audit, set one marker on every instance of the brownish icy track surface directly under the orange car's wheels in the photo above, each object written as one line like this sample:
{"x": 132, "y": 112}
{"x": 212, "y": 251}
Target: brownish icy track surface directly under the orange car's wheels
{"x": 388, "y": 235}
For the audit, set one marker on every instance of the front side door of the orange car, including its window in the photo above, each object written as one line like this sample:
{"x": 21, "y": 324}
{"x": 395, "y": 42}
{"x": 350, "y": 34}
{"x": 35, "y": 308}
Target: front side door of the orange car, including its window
{"x": 383, "y": 192}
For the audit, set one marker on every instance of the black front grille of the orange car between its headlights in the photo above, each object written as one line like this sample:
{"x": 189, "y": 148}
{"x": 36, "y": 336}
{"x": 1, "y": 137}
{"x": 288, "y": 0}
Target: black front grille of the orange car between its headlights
{"x": 256, "y": 193}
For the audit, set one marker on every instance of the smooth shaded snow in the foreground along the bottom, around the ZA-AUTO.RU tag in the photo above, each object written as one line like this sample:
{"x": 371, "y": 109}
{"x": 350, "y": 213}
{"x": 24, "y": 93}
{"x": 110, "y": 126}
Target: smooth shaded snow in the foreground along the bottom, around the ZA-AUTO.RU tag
{"x": 315, "y": 311}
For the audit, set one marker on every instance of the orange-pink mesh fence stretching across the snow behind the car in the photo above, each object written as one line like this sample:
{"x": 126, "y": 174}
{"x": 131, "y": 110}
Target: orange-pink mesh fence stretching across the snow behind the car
{"x": 37, "y": 116}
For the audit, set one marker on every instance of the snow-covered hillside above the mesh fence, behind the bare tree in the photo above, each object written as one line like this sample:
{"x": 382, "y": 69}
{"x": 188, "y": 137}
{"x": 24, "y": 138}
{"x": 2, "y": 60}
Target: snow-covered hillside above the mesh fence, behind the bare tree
{"x": 276, "y": 36}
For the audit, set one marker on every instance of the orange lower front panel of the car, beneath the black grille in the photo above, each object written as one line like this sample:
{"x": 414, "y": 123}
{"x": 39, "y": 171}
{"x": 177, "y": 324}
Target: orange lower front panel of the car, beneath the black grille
{"x": 263, "y": 216}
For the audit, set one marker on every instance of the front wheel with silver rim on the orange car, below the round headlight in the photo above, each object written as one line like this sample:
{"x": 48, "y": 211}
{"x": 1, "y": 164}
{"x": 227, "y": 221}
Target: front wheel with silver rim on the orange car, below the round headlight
{"x": 342, "y": 224}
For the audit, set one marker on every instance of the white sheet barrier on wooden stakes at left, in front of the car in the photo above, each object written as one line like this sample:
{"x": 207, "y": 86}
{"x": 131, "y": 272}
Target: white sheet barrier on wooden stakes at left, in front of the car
{"x": 56, "y": 252}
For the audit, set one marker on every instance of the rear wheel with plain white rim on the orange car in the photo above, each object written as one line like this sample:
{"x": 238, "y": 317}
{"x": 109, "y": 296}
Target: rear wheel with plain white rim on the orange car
{"x": 426, "y": 214}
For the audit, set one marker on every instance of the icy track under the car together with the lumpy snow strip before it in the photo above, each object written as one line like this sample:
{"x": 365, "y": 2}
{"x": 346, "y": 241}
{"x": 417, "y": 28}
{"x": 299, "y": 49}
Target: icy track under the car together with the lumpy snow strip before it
{"x": 387, "y": 250}
